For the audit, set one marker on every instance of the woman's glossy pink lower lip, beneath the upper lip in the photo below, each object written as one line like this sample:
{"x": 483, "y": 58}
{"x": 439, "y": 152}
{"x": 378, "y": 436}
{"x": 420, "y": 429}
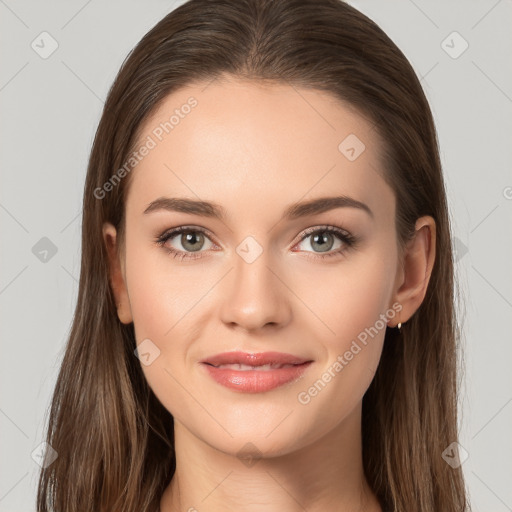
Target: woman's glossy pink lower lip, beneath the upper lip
{"x": 256, "y": 381}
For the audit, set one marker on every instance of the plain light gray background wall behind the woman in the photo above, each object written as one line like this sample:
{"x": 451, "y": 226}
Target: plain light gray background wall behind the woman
{"x": 50, "y": 108}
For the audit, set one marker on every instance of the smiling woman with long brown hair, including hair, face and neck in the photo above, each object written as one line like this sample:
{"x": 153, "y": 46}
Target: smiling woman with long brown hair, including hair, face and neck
{"x": 218, "y": 360}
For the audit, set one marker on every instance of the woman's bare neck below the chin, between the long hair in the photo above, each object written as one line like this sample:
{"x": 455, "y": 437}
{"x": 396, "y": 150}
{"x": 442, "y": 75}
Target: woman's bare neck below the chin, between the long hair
{"x": 325, "y": 475}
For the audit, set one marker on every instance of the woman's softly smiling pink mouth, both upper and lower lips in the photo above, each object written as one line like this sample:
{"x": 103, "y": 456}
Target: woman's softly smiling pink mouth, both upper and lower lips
{"x": 255, "y": 373}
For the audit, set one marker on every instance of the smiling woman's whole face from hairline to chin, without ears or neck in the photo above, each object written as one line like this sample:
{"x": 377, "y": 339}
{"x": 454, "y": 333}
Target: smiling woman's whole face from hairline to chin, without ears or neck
{"x": 264, "y": 275}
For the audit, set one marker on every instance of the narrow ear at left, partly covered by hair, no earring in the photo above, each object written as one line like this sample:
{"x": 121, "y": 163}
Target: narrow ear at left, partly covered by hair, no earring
{"x": 117, "y": 274}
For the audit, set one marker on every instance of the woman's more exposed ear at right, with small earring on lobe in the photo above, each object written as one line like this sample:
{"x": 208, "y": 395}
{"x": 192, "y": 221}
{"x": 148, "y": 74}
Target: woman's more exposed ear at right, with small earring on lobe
{"x": 416, "y": 268}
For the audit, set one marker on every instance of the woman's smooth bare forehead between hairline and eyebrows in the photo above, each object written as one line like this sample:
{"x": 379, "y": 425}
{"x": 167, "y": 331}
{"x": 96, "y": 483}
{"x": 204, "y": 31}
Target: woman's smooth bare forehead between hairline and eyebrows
{"x": 244, "y": 142}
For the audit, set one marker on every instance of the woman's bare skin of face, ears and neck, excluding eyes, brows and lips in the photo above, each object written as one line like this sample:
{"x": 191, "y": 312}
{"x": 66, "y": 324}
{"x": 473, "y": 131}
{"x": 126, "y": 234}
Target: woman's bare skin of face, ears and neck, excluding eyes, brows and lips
{"x": 255, "y": 149}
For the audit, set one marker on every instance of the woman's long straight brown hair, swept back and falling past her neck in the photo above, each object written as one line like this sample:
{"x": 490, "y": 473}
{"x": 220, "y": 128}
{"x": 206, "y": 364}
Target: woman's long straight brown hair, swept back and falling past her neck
{"x": 113, "y": 438}
